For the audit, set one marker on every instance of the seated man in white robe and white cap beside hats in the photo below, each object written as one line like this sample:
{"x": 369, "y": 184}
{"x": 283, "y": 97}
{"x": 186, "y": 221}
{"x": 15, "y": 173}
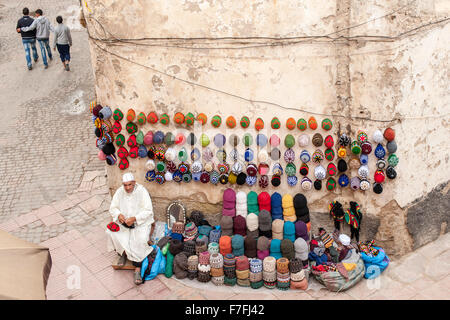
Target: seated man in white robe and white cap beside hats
{"x": 131, "y": 208}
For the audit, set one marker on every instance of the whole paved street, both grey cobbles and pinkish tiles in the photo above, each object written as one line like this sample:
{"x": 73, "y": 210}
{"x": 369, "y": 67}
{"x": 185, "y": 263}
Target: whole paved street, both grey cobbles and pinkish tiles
{"x": 45, "y": 127}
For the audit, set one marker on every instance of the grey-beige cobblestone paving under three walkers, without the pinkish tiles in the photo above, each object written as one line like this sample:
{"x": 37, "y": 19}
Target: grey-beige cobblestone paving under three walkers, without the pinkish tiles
{"x": 45, "y": 134}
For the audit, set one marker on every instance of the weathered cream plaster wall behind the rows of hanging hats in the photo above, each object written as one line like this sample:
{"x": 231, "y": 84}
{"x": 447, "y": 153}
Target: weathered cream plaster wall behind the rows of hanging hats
{"x": 381, "y": 78}
